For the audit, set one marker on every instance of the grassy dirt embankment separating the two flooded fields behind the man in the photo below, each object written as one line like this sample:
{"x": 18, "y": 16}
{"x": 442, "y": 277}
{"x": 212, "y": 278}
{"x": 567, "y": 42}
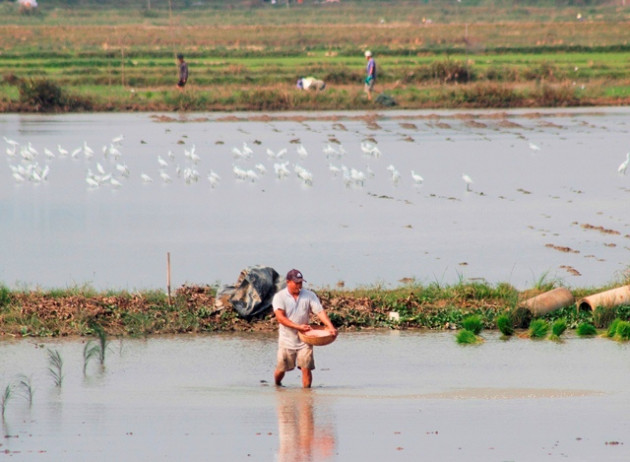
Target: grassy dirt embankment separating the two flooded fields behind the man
{"x": 192, "y": 309}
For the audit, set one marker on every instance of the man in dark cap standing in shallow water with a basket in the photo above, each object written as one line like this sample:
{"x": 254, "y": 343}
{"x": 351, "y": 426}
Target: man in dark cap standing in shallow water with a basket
{"x": 293, "y": 307}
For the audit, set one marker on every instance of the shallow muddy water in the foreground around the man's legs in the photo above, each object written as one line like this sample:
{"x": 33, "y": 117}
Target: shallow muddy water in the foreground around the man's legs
{"x": 376, "y": 396}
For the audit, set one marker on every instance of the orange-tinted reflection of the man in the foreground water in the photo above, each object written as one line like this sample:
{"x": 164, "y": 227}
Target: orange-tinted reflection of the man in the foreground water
{"x": 302, "y": 433}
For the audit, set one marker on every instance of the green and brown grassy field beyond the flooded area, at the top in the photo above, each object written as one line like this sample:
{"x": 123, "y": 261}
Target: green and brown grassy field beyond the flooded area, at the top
{"x": 248, "y": 55}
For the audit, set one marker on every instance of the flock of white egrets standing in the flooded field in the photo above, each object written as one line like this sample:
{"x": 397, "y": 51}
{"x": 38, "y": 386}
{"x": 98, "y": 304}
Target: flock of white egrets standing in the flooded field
{"x": 28, "y": 165}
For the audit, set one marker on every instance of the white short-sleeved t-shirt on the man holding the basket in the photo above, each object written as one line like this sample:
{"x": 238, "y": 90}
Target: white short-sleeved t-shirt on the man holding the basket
{"x": 298, "y": 311}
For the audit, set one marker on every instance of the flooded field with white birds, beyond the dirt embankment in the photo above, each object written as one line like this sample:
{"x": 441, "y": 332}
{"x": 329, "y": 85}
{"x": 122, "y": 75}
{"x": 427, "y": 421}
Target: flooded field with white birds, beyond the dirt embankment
{"x": 353, "y": 198}
